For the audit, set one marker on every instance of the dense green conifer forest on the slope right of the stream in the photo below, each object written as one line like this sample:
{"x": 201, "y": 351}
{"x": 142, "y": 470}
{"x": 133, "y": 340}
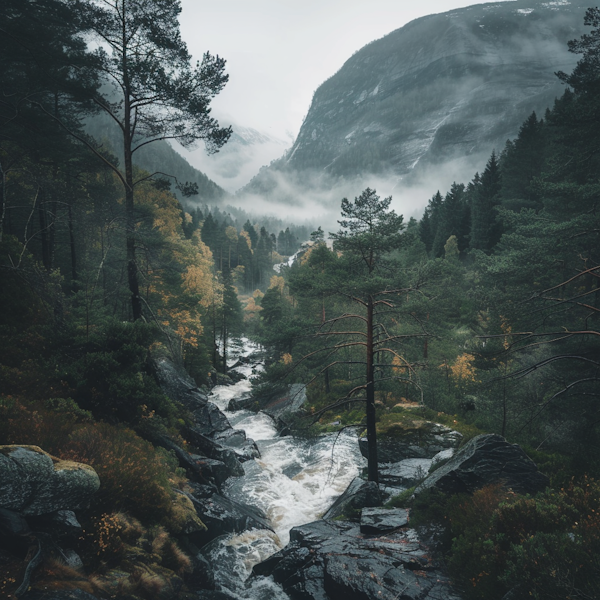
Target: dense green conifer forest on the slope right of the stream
{"x": 485, "y": 313}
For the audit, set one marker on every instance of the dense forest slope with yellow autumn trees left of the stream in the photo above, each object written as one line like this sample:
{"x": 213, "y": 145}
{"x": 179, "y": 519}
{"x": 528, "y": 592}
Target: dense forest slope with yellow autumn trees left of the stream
{"x": 104, "y": 272}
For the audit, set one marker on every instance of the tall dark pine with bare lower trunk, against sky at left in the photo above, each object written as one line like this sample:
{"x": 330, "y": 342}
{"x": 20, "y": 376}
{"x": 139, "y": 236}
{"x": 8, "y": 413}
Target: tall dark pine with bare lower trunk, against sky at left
{"x": 155, "y": 93}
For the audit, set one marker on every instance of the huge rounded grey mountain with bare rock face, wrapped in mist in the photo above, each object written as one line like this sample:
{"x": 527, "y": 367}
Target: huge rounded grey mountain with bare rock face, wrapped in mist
{"x": 432, "y": 99}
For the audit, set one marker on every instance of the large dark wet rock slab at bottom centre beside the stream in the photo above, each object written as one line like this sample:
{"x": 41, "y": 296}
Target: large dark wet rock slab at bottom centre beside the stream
{"x": 326, "y": 560}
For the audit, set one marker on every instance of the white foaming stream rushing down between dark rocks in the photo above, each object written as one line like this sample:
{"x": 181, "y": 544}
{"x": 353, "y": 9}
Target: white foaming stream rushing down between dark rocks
{"x": 294, "y": 482}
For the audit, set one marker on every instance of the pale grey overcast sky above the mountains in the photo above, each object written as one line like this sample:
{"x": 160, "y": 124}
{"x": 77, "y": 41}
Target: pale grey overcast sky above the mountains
{"x": 279, "y": 51}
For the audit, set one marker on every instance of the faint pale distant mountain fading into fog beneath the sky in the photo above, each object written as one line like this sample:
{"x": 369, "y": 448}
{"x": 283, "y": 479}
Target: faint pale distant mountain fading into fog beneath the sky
{"x": 244, "y": 154}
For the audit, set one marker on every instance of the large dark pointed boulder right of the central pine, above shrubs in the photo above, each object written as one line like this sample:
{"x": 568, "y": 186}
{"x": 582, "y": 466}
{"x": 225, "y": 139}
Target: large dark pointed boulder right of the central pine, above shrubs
{"x": 486, "y": 459}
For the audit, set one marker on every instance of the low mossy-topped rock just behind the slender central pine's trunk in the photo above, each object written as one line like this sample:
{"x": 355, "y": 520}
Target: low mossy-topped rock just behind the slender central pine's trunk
{"x": 414, "y": 439}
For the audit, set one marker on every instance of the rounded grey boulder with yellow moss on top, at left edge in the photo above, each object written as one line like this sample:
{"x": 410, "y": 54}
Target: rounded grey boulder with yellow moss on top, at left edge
{"x": 34, "y": 483}
